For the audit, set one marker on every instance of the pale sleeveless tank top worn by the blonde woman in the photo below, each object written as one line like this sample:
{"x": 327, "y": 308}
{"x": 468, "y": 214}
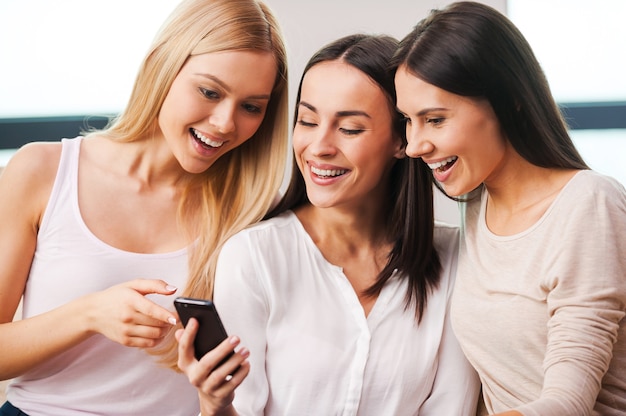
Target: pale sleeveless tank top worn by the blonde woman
{"x": 98, "y": 376}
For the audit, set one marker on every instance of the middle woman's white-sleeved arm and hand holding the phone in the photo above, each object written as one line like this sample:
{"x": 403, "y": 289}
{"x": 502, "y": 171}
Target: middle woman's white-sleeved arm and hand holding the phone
{"x": 241, "y": 305}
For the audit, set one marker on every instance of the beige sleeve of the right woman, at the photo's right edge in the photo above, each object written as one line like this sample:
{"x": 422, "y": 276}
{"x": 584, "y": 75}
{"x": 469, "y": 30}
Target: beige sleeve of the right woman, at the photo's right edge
{"x": 586, "y": 301}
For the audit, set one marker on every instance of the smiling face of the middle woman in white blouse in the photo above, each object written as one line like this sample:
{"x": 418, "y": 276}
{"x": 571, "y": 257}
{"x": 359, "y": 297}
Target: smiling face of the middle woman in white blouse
{"x": 343, "y": 140}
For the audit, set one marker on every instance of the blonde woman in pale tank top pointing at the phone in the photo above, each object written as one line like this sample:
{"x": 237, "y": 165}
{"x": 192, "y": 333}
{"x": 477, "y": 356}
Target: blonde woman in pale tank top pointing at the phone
{"x": 100, "y": 232}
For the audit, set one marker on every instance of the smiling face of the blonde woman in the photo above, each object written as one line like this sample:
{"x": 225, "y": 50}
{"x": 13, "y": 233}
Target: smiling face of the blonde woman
{"x": 216, "y": 102}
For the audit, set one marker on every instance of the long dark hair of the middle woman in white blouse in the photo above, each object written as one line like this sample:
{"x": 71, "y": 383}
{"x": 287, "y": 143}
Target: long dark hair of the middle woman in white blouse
{"x": 410, "y": 224}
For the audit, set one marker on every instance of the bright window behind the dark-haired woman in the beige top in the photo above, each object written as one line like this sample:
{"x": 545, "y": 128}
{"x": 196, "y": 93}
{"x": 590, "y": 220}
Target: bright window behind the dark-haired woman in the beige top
{"x": 580, "y": 45}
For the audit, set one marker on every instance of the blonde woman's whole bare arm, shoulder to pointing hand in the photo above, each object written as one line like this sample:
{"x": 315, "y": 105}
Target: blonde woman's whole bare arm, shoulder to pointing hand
{"x": 121, "y": 313}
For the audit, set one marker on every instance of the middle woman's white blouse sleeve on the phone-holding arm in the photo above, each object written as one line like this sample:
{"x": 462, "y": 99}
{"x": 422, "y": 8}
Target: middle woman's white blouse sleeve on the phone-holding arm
{"x": 240, "y": 298}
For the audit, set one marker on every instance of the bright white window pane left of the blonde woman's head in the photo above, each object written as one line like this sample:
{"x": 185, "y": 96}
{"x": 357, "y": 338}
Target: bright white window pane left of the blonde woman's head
{"x": 49, "y": 45}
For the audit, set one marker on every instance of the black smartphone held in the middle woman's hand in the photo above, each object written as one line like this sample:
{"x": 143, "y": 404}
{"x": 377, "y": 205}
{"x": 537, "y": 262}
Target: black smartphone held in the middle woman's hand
{"x": 211, "y": 332}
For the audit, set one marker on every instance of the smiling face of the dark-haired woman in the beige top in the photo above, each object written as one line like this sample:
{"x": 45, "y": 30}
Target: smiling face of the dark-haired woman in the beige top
{"x": 458, "y": 137}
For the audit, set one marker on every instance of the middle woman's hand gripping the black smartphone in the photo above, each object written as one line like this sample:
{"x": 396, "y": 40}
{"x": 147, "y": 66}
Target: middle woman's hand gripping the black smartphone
{"x": 215, "y": 385}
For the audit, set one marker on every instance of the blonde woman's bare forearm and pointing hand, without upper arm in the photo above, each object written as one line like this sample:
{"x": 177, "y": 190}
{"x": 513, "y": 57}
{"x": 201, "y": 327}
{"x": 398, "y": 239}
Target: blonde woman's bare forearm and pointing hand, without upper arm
{"x": 121, "y": 313}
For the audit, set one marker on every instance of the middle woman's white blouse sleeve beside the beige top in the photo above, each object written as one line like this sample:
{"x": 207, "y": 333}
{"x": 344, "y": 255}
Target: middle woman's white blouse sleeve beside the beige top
{"x": 456, "y": 386}
